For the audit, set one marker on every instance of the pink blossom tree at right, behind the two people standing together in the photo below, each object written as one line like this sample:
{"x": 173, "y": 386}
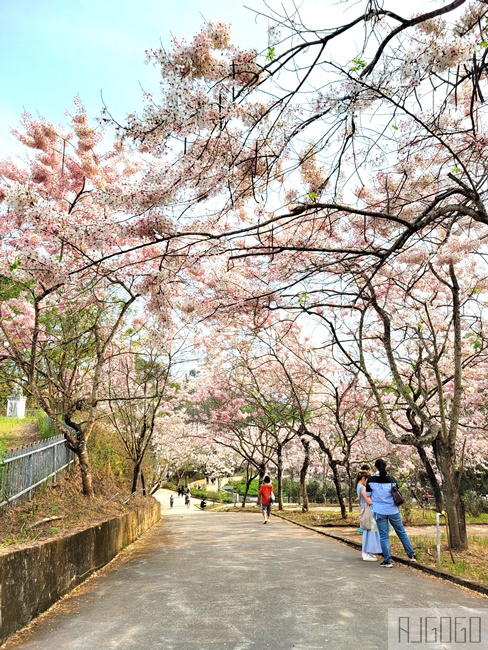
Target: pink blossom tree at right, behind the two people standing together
{"x": 420, "y": 343}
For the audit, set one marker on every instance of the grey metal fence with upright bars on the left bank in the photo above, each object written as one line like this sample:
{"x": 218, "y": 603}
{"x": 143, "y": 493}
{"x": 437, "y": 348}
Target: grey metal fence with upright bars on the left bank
{"x": 25, "y": 469}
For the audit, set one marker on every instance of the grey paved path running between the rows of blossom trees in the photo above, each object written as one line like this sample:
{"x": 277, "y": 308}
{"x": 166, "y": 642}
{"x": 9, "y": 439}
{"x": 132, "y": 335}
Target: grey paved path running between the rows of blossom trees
{"x": 215, "y": 581}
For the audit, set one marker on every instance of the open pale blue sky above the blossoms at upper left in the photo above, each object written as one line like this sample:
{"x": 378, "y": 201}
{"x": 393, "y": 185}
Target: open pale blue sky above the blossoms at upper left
{"x": 53, "y": 50}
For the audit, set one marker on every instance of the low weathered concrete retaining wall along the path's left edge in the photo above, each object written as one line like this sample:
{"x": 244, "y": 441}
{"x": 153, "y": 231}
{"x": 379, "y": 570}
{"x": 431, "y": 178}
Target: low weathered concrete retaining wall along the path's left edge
{"x": 32, "y": 578}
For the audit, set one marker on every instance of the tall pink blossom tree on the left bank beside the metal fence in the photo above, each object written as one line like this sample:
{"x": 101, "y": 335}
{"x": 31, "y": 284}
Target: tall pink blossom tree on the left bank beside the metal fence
{"x": 59, "y": 312}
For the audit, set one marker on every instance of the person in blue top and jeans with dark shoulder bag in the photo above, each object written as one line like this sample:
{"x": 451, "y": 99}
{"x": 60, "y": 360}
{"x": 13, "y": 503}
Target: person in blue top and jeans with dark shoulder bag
{"x": 379, "y": 489}
